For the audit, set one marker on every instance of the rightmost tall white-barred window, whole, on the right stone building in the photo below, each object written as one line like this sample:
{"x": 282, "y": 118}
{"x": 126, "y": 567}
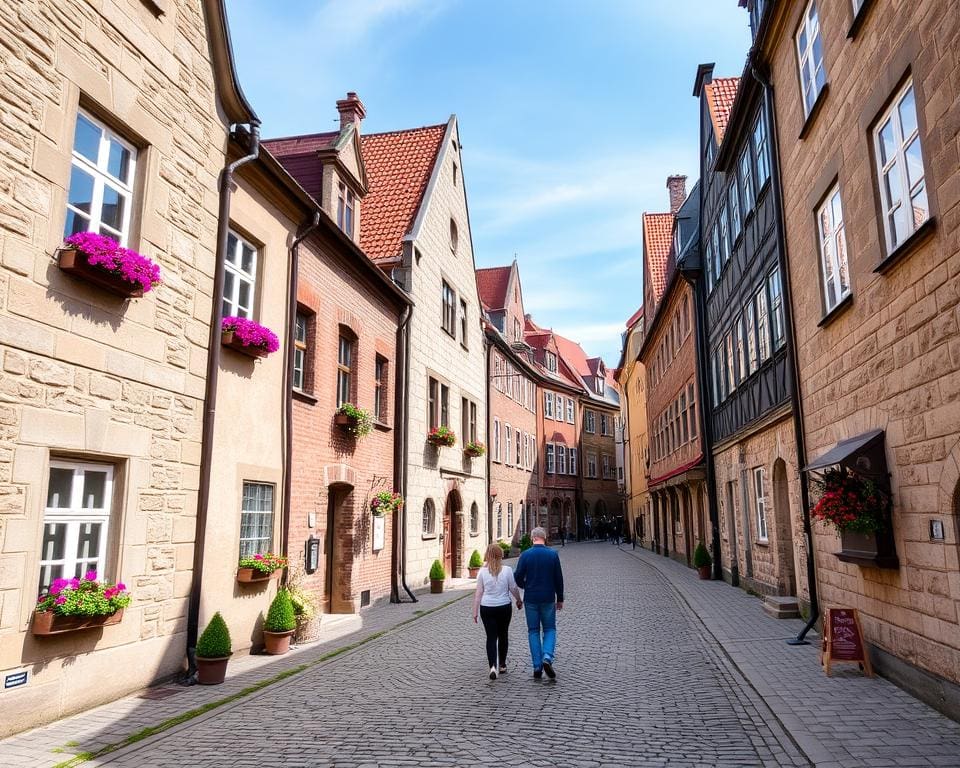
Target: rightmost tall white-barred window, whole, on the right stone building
{"x": 903, "y": 189}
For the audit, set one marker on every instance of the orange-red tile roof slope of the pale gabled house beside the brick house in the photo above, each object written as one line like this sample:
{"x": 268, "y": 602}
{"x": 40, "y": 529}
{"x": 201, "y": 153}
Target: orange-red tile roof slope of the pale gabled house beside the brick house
{"x": 398, "y": 166}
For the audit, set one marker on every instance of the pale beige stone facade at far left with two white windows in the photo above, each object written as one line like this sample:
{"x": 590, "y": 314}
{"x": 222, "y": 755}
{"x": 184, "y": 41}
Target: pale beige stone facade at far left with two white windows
{"x": 102, "y": 395}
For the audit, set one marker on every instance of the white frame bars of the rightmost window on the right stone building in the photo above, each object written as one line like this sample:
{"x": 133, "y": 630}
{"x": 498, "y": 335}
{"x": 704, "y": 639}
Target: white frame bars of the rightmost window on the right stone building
{"x": 893, "y": 208}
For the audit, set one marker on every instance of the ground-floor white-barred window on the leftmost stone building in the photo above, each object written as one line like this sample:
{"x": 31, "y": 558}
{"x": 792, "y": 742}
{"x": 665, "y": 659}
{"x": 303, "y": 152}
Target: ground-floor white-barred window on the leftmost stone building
{"x": 76, "y": 521}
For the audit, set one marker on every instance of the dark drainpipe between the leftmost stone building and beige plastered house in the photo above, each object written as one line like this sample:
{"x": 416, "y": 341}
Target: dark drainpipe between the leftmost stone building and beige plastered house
{"x": 210, "y": 393}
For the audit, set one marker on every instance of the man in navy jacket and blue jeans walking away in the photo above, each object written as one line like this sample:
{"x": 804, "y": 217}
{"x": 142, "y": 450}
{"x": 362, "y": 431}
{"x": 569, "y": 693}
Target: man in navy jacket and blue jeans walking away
{"x": 540, "y": 576}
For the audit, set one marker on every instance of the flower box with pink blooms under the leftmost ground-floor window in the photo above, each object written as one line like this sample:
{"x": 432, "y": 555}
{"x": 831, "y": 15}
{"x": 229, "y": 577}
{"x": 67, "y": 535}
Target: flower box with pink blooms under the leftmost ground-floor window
{"x": 72, "y": 604}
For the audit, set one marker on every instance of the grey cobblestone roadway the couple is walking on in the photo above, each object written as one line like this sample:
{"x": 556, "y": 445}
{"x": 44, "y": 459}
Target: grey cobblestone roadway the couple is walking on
{"x": 638, "y": 683}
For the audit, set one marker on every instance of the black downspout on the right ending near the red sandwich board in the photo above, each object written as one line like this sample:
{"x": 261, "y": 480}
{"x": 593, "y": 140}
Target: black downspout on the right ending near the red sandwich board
{"x": 791, "y": 353}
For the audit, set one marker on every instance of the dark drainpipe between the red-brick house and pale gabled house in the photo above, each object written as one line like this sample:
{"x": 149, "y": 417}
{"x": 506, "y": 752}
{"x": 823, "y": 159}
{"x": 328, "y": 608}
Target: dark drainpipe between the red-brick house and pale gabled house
{"x": 401, "y": 453}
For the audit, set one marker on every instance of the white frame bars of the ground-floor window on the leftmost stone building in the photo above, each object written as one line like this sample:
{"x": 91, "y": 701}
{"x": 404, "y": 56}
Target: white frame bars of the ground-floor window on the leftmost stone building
{"x": 75, "y": 516}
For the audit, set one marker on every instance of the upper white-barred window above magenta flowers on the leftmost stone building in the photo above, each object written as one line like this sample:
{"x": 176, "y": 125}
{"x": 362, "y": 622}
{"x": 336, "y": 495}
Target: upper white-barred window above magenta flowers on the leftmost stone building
{"x": 100, "y": 196}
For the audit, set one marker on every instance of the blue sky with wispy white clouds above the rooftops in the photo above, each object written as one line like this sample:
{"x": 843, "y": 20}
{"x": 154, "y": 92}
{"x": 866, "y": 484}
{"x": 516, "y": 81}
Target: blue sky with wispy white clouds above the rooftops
{"x": 572, "y": 115}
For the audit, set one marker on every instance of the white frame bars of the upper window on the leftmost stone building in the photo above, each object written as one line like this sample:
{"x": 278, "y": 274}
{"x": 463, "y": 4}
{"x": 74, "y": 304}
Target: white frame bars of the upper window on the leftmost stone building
{"x": 98, "y": 170}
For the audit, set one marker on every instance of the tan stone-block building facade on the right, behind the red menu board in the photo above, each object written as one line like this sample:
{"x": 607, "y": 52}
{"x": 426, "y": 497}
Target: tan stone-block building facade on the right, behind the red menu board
{"x": 867, "y": 135}
